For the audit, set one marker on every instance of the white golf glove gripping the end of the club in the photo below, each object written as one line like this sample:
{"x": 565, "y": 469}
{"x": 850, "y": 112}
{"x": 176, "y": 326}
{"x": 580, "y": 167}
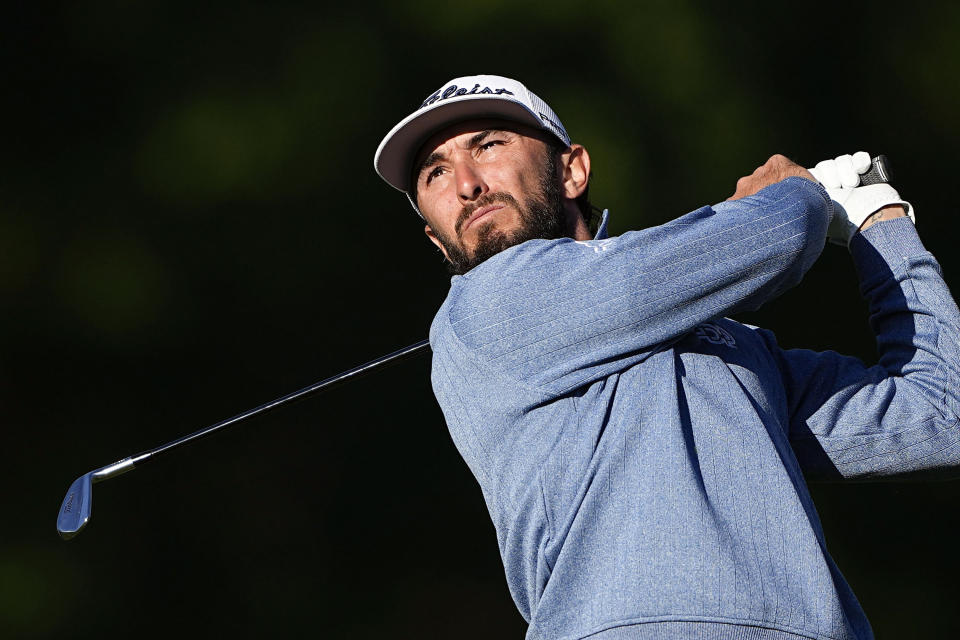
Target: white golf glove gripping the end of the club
{"x": 852, "y": 204}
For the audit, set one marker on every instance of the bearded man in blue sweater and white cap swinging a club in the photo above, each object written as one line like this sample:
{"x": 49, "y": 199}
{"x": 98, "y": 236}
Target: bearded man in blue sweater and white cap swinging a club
{"x": 641, "y": 455}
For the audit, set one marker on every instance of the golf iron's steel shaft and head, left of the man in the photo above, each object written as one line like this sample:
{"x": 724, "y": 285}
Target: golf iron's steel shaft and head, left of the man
{"x": 75, "y": 510}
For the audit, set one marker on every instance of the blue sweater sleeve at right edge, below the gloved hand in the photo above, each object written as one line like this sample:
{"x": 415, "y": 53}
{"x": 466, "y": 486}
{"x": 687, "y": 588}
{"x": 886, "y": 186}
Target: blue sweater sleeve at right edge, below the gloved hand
{"x": 848, "y": 420}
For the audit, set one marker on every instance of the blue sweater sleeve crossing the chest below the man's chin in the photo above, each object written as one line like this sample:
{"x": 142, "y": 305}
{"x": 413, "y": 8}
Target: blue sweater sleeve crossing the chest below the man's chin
{"x": 558, "y": 314}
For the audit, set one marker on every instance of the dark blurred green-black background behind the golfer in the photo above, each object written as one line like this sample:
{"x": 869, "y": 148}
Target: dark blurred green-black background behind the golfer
{"x": 190, "y": 225}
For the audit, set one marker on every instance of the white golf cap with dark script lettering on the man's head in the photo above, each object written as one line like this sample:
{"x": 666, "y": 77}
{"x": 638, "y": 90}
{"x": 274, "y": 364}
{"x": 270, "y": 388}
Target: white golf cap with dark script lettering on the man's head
{"x": 465, "y": 98}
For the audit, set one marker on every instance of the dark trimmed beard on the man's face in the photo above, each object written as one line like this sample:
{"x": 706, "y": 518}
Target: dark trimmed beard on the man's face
{"x": 543, "y": 217}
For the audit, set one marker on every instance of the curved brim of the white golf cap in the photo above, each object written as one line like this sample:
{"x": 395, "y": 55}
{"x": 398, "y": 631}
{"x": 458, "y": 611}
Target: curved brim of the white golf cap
{"x": 395, "y": 155}
